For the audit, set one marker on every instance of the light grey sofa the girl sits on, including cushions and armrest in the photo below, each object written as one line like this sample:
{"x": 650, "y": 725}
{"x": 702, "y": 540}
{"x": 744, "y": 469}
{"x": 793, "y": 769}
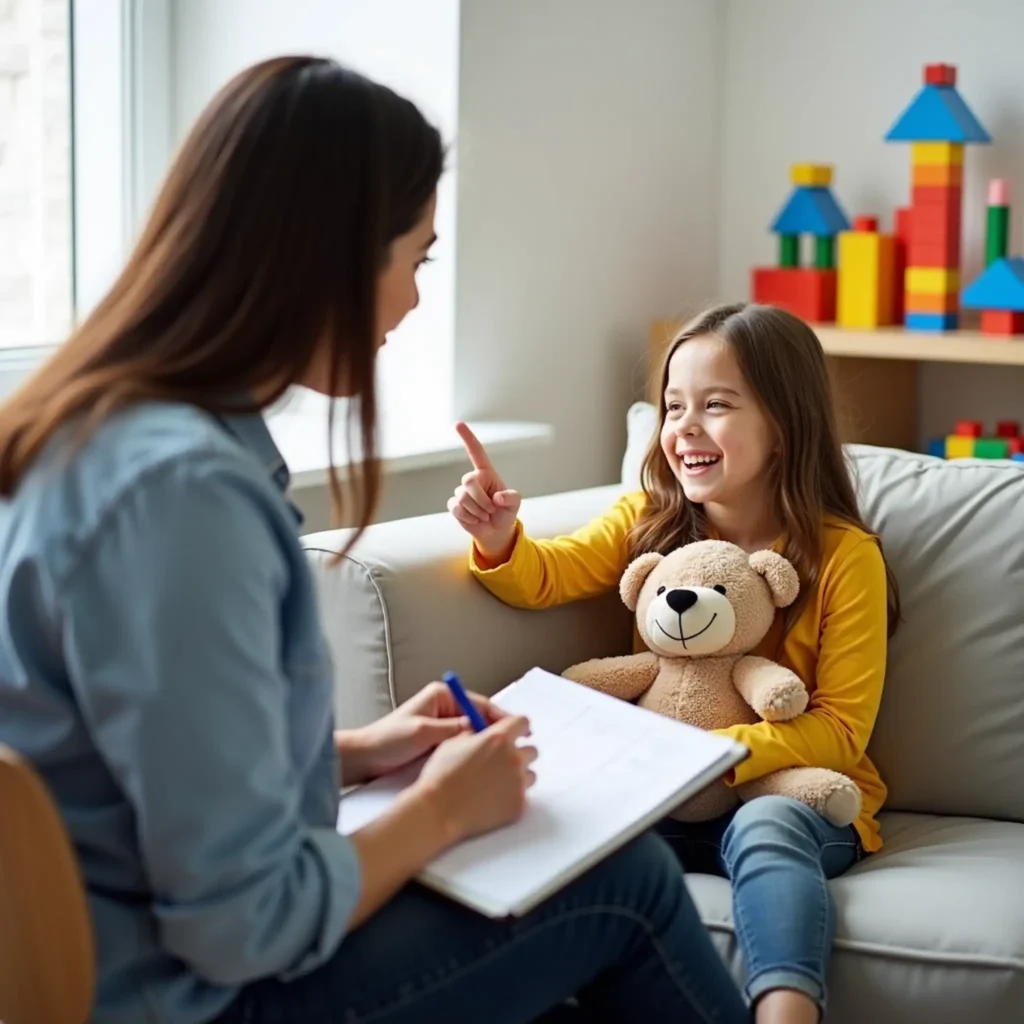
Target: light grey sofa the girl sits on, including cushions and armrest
{"x": 932, "y": 928}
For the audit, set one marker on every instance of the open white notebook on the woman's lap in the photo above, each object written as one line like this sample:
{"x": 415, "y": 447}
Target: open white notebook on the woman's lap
{"x": 607, "y": 771}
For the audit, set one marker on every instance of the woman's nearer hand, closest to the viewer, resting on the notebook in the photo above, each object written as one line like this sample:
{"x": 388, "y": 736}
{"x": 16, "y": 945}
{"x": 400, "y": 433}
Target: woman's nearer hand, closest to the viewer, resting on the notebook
{"x": 479, "y": 782}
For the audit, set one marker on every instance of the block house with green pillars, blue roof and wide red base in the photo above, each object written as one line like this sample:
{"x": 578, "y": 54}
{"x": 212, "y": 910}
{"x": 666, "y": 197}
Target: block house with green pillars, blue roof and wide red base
{"x": 812, "y": 209}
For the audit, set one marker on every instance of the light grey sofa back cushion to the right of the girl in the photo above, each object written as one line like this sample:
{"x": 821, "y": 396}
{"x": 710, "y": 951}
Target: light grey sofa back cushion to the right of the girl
{"x": 950, "y": 737}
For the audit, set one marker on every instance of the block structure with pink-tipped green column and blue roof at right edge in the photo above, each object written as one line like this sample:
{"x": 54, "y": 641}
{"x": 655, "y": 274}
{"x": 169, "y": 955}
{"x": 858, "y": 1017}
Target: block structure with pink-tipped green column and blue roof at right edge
{"x": 999, "y": 292}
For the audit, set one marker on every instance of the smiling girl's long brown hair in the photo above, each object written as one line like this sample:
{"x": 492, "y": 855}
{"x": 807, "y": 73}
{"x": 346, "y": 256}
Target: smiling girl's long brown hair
{"x": 784, "y": 363}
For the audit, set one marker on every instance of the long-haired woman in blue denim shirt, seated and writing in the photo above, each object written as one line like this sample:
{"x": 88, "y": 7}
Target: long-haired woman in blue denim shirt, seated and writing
{"x": 161, "y": 660}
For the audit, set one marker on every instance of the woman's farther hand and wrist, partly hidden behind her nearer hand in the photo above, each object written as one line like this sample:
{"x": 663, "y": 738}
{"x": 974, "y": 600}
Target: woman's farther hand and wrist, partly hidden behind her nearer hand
{"x": 415, "y": 729}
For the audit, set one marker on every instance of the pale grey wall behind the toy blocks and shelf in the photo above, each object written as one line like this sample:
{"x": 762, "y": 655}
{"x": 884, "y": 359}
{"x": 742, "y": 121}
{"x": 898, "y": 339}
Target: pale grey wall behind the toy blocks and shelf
{"x": 814, "y": 81}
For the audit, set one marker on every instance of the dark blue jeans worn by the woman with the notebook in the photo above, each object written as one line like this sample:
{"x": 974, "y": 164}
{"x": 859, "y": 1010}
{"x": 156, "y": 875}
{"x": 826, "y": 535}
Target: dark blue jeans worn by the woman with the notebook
{"x": 625, "y": 940}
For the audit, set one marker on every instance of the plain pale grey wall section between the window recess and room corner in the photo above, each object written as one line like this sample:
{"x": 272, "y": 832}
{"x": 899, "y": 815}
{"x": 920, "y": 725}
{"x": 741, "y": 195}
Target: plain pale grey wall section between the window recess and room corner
{"x": 588, "y": 193}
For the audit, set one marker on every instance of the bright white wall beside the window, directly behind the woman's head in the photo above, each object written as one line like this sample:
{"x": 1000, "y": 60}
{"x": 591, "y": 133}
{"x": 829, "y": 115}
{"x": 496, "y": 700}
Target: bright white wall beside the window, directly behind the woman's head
{"x": 411, "y": 46}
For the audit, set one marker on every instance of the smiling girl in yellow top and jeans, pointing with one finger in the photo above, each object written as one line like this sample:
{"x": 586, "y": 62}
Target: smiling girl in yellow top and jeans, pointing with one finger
{"x": 747, "y": 452}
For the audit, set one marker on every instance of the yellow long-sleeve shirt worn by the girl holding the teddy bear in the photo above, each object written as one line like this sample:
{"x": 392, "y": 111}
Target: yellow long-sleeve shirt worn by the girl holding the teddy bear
{"x": 837, "y": 647}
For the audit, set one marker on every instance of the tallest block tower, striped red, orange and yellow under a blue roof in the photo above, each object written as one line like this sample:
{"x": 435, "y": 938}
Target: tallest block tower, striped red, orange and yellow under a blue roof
{"x": 938, "y": 124}
